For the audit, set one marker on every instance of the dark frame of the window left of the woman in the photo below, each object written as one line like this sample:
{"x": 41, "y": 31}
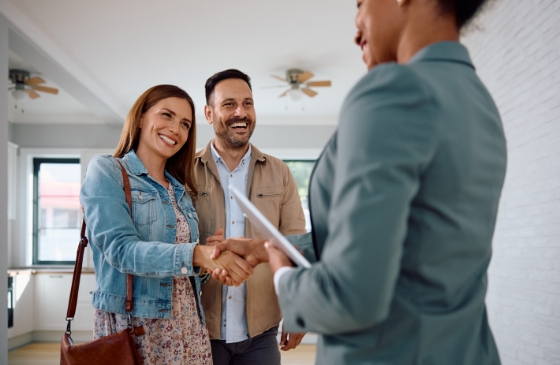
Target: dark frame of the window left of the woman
{"x": 37, "y": 161}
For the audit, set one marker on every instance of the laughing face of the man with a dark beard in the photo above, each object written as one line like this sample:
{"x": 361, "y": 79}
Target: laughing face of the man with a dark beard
{"x": 232, "y": 114}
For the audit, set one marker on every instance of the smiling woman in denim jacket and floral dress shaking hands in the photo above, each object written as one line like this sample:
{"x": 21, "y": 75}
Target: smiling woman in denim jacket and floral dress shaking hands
{"x": 159, "y": 244}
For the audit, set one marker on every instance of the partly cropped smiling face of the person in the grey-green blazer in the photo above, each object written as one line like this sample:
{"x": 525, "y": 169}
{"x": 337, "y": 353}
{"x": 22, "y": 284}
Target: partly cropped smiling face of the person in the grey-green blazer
{"x": 380, "y": 24}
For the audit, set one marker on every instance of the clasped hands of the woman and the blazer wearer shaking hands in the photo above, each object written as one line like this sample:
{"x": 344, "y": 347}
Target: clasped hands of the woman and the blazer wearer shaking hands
{"x": 231, "y": 261}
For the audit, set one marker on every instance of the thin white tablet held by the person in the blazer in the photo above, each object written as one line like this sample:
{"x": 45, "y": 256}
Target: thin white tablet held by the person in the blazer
{"x": 266, "y": 228}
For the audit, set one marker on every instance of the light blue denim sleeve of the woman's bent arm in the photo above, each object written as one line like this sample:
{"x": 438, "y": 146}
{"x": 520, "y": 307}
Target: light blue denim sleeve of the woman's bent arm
{"x": 112, "y": 230}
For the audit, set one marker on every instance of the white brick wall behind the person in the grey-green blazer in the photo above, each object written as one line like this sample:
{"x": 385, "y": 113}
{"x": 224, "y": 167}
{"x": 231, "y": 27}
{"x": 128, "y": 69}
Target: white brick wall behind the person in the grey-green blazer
{"x": 517, "y": 55}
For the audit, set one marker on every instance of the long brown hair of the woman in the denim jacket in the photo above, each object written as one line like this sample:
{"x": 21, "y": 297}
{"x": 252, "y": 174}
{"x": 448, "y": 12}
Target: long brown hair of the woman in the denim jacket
{"x": 181, "y": 164}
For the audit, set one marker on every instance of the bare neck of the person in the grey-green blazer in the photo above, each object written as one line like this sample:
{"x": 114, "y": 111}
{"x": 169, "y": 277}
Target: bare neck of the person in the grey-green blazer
{"x": 424, "y": 27}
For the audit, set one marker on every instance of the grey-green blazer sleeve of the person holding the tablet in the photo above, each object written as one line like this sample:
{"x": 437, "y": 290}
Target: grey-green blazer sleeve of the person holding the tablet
{"x": 386, "y": 138}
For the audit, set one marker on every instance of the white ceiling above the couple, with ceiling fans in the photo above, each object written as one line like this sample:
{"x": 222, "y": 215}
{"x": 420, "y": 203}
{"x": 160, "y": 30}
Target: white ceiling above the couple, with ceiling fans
{"x": 117, "y": 49}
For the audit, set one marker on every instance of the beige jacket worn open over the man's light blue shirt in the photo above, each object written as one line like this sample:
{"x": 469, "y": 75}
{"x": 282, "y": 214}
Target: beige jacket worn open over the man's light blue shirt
{"x": 272, "y": 188}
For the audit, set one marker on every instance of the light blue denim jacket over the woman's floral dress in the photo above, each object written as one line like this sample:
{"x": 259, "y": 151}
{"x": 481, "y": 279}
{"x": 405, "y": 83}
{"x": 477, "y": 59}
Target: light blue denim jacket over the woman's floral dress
{"x": 143, "y": 245}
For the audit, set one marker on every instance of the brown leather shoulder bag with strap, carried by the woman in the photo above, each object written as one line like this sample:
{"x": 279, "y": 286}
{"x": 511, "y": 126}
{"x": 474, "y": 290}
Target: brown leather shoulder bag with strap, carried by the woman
{"x": 117, "y": 348}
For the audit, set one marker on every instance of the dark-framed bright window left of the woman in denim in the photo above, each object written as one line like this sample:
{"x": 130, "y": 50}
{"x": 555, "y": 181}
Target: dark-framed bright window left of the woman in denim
{"x": 57, "y": 211}
